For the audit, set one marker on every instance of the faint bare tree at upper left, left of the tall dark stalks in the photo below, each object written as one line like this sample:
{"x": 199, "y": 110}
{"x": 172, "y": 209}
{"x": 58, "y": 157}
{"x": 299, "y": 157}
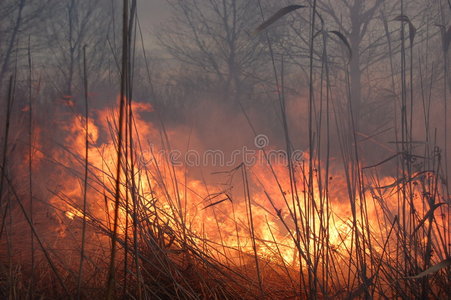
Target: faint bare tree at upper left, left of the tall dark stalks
{"x": 80, "y": 23}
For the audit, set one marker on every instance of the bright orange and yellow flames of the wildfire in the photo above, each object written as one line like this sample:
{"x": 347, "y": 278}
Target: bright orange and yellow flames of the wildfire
{"x": 289, "y": 223}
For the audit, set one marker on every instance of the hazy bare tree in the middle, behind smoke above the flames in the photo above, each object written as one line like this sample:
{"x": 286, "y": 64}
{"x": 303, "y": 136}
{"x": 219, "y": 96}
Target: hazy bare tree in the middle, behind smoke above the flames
{"x": 215, "y": 39}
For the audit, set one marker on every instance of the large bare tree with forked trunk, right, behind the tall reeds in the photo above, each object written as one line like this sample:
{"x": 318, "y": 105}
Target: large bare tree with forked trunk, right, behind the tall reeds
{"x": 357, "y": 21}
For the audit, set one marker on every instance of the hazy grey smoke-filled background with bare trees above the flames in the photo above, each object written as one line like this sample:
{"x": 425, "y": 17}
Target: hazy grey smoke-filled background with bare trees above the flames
{"x": 203, "y": 67}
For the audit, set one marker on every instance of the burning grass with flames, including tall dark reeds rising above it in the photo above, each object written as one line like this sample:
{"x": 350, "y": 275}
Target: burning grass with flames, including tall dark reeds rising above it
{"x": 103, "y": 212}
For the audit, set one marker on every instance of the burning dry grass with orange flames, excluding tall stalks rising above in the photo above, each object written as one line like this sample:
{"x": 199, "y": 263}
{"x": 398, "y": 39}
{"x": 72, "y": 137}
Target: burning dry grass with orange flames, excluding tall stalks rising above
{"x": 176, "y": 238}
